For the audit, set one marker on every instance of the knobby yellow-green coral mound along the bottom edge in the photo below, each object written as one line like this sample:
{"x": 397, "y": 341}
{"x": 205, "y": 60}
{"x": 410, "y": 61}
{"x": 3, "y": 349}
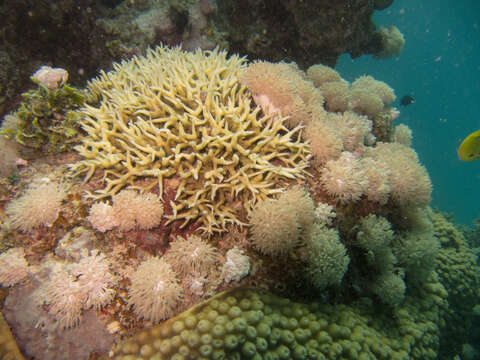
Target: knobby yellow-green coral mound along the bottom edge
{"x": 249, "y": 324}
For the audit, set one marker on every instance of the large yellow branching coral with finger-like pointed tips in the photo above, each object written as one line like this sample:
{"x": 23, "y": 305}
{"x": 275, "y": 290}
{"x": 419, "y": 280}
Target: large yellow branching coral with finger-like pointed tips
{"x": 186, "y": 115}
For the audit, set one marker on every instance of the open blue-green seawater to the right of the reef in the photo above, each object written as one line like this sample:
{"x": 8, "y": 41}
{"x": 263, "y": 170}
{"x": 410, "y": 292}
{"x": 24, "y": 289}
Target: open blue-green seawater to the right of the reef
{"x": 440, "y": 67}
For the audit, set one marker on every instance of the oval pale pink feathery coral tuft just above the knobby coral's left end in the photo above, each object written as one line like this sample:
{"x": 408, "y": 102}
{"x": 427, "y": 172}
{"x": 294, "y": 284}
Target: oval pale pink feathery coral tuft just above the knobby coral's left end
{"x": 154, "y": 291}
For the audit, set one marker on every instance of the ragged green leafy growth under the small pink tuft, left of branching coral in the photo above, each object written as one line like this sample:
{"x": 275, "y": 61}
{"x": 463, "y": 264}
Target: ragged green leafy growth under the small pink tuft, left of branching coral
{"x": 47, "y": 118}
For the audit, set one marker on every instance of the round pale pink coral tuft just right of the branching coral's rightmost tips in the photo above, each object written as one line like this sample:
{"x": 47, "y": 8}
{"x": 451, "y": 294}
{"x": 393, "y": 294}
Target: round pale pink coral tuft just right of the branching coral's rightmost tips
{"x": 345, "y": 178}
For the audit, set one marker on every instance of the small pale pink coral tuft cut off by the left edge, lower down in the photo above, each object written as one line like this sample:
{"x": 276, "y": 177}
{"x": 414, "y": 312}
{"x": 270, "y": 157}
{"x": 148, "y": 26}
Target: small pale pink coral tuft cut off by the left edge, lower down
{"x": 13, "y": 267}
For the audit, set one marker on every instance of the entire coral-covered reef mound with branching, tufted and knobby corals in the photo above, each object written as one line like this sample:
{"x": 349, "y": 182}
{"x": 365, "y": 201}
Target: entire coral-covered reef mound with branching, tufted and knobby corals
{"x": 207, "y": 207}
